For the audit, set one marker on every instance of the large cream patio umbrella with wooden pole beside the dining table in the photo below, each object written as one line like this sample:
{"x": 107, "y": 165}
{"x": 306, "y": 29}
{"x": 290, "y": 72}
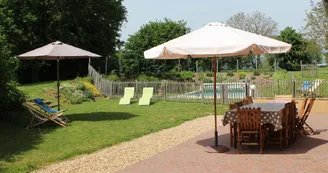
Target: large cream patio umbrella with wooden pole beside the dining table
{"x": 216, "y": 40}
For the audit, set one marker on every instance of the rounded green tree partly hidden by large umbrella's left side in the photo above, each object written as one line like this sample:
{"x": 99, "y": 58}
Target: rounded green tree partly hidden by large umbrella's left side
{"x": 151, "y": 34}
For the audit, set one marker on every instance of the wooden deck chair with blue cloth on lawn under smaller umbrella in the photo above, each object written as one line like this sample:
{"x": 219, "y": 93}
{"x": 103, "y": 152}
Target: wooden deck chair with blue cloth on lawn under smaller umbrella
{"x": 43, "y": 113}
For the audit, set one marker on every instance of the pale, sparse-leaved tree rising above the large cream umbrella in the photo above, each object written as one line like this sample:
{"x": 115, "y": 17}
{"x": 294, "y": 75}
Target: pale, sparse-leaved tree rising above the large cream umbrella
{"x": 255, "y": 22}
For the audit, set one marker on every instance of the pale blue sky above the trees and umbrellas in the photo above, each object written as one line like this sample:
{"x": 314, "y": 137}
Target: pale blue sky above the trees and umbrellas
{"x": 200, "y": 12}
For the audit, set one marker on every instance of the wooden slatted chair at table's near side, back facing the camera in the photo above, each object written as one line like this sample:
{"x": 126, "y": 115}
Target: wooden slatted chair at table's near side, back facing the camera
{"x": 249, "y": 124}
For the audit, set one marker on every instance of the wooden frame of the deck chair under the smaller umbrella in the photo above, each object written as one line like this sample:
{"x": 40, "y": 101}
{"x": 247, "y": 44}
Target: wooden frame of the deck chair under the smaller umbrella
{"x": 39, "y": 116}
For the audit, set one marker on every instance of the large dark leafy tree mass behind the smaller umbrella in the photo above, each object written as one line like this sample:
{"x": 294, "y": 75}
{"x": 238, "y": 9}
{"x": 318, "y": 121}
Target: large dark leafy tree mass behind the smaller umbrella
{"x": 91, "y": 25}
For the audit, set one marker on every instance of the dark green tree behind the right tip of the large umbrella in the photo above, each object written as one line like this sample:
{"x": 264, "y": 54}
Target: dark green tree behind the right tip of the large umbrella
{"x": 302, "y": 49}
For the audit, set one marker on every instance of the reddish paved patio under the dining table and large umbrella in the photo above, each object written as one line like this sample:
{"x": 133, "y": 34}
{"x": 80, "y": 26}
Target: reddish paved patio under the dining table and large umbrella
{"x": 307, "y": 154}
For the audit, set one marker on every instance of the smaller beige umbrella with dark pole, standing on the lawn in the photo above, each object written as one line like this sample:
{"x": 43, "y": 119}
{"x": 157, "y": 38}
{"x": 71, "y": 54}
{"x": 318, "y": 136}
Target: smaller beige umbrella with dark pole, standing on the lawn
{"x": 57, "y": 51}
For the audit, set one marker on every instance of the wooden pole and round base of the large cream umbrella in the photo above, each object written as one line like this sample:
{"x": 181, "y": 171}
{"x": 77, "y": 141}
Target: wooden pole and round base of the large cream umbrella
{"x": 216, "y": 148}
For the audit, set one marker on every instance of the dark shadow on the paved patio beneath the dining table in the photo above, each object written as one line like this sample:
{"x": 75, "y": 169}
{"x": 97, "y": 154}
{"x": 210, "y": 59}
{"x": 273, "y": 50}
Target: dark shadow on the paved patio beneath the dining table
{"x": 300, "y": 146}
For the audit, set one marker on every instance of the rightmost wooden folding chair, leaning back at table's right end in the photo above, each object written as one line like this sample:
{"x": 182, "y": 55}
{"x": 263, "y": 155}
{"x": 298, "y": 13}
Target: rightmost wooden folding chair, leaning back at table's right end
{"x": 301, "y": 120}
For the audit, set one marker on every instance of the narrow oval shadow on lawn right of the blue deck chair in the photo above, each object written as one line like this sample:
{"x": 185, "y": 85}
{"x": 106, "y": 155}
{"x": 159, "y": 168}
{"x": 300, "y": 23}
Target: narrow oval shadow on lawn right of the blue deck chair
{"x": 100, "y": 116}
